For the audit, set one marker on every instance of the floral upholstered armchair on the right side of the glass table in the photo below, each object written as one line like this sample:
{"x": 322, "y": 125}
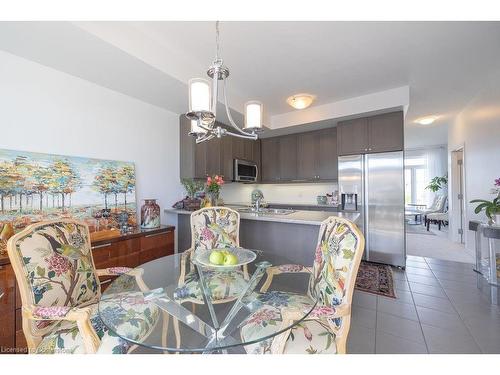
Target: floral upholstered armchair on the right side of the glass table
{"x": 332, "y": 278}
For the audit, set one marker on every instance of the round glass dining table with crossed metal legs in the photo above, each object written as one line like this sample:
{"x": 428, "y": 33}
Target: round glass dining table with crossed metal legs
{"x": 142, "y": 306}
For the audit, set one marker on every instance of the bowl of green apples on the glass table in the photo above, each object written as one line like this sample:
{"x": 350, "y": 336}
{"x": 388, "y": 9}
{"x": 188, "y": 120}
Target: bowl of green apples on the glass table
{"x": 225, "y": 258}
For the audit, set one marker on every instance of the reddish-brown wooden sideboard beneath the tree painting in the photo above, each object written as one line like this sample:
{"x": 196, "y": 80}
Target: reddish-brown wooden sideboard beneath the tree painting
{"x": 128, "y": 250}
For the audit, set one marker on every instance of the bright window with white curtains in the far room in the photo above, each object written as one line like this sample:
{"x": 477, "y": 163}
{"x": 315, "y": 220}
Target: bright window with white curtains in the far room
{"x": 432, "y": 162}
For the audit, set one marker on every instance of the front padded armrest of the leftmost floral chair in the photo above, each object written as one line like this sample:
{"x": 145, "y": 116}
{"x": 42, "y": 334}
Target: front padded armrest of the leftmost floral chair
{"x": 79, "y": 315}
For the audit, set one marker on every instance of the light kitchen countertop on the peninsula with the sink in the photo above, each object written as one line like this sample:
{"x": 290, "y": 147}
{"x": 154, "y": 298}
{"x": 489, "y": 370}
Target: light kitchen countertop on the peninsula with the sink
{"x": 297, "y": 217}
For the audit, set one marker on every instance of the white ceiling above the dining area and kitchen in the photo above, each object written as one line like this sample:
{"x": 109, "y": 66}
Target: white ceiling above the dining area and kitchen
{"x": 443, "y": 63}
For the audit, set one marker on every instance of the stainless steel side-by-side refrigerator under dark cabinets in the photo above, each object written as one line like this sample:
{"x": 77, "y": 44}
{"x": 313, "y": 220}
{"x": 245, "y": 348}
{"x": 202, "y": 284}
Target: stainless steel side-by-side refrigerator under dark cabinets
{"x": 373, "y": 186}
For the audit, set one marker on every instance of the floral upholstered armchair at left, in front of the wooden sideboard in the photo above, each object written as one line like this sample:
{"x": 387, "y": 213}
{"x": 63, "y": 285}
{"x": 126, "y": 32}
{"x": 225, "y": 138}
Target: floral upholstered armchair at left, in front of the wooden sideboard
{"x": 60, "y": 289}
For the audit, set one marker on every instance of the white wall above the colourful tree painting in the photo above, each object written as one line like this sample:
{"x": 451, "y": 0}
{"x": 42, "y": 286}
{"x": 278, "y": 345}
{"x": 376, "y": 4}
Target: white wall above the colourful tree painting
{"x": 44, "y": 110}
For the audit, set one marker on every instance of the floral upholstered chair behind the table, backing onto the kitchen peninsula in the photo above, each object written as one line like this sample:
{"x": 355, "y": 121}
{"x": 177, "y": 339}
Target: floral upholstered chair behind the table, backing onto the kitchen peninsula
{"x": 211, "y": 228}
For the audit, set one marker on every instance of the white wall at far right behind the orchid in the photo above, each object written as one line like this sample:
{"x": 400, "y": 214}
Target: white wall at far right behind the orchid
{"x": 477, "y": 128}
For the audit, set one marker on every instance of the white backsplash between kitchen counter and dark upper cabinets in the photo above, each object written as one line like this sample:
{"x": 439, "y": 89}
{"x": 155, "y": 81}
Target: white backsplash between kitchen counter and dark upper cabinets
{"x": 278, "y": 193}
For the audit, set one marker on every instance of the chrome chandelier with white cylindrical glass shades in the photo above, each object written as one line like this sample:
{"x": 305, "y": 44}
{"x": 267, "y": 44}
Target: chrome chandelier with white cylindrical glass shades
{"x": 203, "y": 105}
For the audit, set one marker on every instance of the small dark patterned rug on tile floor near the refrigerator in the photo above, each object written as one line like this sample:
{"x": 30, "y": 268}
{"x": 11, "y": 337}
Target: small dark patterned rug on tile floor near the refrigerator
{"x": 375, "y": 278}
